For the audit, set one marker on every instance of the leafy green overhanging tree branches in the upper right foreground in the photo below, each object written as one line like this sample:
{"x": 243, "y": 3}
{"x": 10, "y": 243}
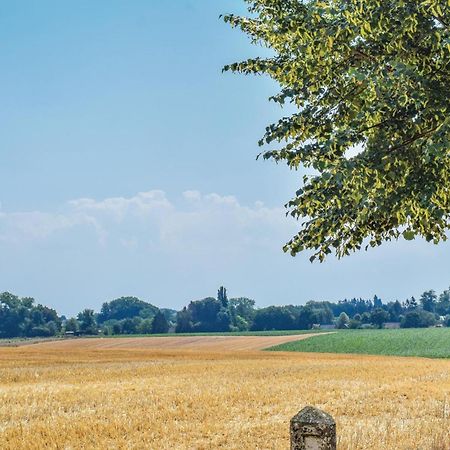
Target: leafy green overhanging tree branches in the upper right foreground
{"x": 370, "y": 83}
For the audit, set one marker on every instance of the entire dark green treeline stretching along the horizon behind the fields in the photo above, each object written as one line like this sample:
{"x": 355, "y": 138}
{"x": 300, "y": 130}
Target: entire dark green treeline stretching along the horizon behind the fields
{"x": 22, "y": 317}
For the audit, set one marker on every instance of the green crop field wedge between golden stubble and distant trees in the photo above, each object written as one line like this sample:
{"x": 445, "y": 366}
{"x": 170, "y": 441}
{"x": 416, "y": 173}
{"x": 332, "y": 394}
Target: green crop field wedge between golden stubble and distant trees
{"x": 425, "y": 342}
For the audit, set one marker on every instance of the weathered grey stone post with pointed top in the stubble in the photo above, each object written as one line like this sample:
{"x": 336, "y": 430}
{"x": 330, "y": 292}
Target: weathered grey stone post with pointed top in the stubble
{"x": 313, "y": 429}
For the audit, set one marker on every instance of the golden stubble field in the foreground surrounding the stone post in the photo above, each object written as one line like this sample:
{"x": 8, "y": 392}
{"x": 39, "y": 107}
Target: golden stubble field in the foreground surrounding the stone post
{"x": 81, "y": 396}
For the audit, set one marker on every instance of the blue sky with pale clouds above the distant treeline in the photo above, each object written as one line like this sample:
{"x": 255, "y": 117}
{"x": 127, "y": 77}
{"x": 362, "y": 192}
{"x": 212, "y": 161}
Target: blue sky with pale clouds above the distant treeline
{"x": 127, "y": 166}
